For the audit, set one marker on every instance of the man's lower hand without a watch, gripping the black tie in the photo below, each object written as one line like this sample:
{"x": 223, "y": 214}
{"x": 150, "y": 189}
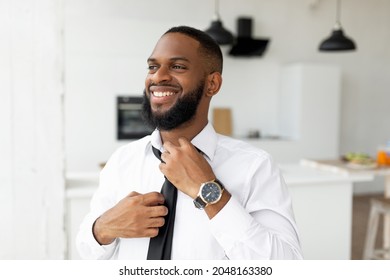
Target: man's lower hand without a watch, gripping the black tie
{"x": 136, "y": 215}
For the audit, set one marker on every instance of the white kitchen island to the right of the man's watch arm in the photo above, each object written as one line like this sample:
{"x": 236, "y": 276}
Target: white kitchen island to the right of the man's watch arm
{"x": 322, "y": 202}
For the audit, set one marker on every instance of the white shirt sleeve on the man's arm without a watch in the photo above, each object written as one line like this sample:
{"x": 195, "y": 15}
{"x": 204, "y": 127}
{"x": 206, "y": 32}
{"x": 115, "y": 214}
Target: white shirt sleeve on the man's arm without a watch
{"x": 103, "y": 199}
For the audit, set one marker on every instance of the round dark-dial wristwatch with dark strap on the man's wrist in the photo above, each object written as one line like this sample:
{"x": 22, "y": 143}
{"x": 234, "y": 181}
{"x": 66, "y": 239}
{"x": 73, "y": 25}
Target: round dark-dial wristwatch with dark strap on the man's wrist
{"x": 209, "y": 193}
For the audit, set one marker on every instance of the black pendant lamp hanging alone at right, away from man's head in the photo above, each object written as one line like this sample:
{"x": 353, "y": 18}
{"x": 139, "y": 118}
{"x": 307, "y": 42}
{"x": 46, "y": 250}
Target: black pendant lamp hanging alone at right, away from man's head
{"x": 337, "y": 40}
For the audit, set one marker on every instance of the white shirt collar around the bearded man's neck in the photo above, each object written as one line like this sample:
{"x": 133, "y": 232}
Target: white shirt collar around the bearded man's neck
{"x": 206, "y": 141}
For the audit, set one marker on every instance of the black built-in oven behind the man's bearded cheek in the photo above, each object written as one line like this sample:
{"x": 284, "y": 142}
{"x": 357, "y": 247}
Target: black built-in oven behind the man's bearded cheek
{"x": 130, "y": 124}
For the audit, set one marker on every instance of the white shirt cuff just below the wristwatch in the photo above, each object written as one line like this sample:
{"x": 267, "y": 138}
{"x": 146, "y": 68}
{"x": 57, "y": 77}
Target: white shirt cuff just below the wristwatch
{"x": 230, "y": 224}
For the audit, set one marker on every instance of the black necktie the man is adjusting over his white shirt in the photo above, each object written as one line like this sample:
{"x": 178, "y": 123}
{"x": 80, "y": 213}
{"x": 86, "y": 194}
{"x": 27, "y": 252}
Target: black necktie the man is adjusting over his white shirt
{"x": 161, "y": 245}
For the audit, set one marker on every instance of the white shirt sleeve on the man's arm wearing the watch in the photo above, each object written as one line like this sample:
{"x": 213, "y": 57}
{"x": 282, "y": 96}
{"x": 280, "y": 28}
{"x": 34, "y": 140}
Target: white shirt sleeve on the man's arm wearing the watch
{"x": 259, "y": 224}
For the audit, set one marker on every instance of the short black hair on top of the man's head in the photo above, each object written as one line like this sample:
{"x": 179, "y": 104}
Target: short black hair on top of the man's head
{"x": 209, "y": 48}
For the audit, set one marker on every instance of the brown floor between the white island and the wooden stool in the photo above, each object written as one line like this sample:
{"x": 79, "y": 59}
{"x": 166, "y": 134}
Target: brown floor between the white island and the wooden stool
{"x": 361, "y": 208}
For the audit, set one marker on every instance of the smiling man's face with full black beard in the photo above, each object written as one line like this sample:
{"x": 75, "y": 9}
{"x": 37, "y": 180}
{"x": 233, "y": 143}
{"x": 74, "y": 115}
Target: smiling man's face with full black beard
{"x": 175, "y": 83}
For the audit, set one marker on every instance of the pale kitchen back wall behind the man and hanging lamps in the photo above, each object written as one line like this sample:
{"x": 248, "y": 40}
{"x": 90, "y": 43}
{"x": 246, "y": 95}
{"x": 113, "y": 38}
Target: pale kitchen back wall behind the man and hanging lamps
{"x": 107, "y": 43}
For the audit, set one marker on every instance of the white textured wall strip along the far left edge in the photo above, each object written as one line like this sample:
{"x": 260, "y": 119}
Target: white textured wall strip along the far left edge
{"x": 31, "y": 130}
